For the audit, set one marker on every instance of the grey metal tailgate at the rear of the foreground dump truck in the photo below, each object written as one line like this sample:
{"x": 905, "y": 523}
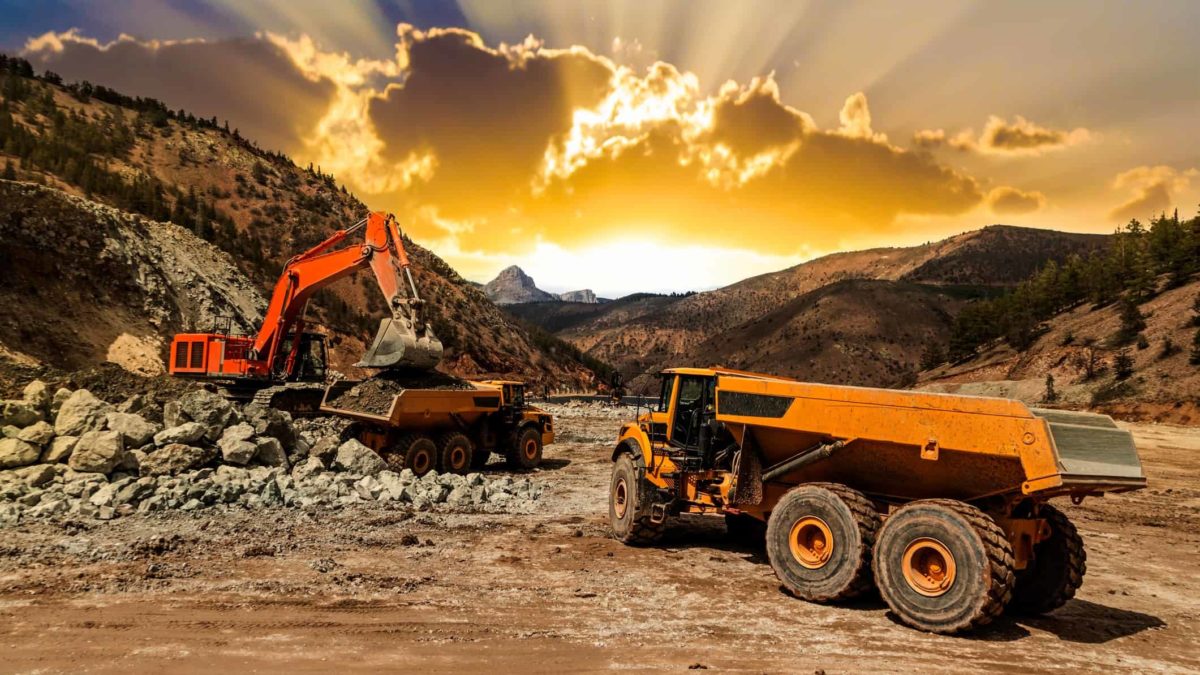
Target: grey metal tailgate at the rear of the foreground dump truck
{"x": 1093, "y": 452}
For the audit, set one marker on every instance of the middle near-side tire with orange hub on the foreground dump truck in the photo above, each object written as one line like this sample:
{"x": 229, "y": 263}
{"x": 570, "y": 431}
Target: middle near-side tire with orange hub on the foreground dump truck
{"x": 819, "y": 541}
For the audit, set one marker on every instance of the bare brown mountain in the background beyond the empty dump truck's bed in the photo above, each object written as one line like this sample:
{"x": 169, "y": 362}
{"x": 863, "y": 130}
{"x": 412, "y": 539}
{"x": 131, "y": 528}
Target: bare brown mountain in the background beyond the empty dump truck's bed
{"x": 645, "y": 333}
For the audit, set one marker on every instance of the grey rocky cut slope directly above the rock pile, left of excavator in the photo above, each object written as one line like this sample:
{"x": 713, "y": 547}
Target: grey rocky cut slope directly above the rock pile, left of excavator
{"x": 83, "y": 283}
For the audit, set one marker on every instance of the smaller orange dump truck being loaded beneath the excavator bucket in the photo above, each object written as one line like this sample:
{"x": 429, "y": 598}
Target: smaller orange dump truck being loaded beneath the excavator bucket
{"x": 433, "y": 422}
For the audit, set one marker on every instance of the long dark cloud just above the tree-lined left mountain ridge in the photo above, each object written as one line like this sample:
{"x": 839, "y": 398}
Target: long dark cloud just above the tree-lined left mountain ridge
{"x": 250, "y": 82}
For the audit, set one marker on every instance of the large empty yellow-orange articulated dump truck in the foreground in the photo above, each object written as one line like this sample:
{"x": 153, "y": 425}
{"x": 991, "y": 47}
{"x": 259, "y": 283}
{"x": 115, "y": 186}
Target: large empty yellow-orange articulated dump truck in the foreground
{"x": 940, "y": 501}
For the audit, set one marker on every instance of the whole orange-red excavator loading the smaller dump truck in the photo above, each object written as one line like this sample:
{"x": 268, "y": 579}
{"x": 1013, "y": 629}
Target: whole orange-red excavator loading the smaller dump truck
{"x": 284, "y": 366}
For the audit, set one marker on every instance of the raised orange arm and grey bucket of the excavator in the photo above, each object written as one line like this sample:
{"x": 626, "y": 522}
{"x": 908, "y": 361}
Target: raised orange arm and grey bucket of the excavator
{"x": 405, "y": 339}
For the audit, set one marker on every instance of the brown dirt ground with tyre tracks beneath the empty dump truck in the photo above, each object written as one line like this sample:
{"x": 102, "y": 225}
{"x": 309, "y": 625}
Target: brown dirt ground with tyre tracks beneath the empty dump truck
{"x": 375, "y": 588}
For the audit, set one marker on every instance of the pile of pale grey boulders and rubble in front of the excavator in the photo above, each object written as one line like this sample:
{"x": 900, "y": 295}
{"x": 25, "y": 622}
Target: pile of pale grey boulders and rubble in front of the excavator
{"x": 201, "y": 451}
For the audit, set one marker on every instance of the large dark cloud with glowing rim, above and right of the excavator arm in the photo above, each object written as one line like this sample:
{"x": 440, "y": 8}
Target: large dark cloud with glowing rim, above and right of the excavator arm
{"x": 487, "y": 116}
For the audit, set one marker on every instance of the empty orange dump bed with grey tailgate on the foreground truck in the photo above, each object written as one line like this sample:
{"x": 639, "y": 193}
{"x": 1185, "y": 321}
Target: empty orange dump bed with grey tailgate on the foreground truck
{"x": 916, "y": 445}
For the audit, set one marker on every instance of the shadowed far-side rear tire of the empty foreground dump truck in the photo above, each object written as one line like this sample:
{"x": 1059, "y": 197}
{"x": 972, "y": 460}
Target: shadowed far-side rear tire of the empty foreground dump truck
{"x": 1057, "y": 571}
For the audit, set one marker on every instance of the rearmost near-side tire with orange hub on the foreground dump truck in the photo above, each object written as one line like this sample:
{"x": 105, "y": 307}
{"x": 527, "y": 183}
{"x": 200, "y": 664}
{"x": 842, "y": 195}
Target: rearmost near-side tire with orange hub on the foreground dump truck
{"x": 944, "y": 566}
